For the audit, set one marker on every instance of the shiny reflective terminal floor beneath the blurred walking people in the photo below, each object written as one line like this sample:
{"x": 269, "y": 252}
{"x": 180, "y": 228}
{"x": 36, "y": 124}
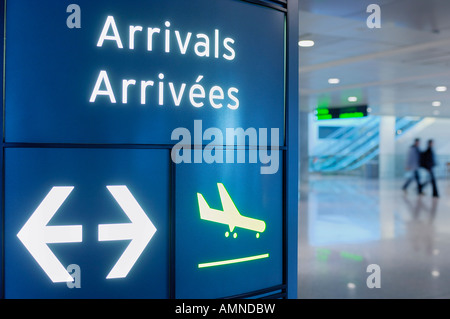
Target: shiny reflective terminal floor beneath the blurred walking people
{"x": 349, "y": 223}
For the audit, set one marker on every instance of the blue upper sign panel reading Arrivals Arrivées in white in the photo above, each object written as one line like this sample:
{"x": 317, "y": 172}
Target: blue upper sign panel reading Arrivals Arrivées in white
{"x": 136, "y": 70}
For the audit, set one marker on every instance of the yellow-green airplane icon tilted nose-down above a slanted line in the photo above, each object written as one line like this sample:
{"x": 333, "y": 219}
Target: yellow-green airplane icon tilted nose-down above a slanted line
{"x": 230, "y": 215}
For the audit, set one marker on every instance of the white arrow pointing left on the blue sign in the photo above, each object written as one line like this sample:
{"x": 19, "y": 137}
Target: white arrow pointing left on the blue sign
{"x": 35, "y": 234}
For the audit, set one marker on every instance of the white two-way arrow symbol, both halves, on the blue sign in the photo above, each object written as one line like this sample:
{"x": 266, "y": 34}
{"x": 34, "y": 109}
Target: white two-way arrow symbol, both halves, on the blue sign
{"x": 35, "y": 234}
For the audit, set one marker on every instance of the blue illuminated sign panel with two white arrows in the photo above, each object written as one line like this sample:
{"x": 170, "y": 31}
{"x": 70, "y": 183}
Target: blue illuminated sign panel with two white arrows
{"x": 92, "y": 209}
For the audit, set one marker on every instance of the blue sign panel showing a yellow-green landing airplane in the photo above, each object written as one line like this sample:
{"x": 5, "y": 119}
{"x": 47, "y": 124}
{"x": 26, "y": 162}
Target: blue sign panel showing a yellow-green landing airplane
{"x": 233, "y": 222}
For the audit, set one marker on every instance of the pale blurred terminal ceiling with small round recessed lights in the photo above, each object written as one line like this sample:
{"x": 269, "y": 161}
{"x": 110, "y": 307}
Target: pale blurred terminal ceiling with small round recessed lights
{"x": 394, "y": 69}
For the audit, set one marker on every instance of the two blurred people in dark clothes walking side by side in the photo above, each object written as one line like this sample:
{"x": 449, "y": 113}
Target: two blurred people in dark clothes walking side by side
{"x": 417, "y": 159}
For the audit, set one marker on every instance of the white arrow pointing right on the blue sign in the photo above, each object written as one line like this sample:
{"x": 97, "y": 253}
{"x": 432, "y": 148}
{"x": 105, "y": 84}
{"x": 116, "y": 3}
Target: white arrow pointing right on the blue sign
{"x": 139, "y": 231}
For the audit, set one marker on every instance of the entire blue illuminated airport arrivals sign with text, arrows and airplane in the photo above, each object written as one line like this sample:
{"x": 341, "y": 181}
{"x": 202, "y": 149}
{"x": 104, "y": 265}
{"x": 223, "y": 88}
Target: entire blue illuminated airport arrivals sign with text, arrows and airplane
{"x": 107, "y": 194}
